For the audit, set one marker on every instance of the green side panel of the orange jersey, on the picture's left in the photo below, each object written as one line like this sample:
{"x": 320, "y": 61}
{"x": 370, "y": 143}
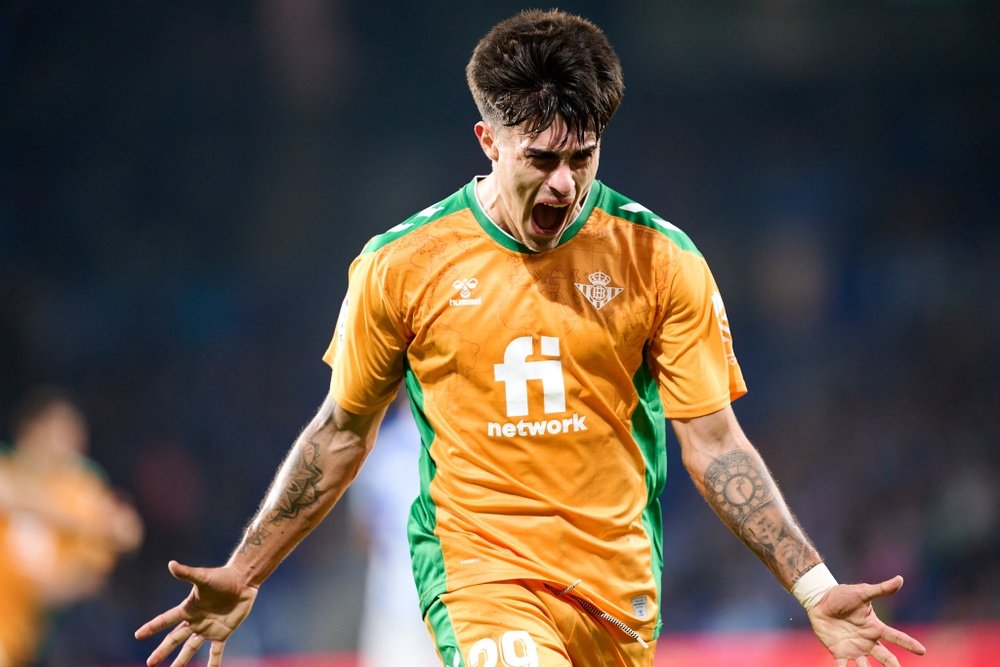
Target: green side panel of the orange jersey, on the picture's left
{"x": 425, "y": 547}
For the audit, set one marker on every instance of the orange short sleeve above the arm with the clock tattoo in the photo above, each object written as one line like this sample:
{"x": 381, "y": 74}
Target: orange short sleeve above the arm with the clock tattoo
{"x": 691, "y": 353}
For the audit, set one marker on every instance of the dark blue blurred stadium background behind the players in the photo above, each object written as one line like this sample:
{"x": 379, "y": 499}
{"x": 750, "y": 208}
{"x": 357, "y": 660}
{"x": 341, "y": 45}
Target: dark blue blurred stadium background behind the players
{"x": 183, "y": 185}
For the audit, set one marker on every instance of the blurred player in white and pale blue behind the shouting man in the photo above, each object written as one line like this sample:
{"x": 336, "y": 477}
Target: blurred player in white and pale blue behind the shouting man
{"x": 392, "y": 633}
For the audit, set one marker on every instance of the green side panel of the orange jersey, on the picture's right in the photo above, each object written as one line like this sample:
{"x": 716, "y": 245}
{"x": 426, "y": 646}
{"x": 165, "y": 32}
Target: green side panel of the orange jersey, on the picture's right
{"x": 649, "y": 432}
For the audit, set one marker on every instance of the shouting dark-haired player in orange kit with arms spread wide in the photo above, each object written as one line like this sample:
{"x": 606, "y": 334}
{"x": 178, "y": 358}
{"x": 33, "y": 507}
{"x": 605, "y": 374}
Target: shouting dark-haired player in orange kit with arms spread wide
{"x": 544, "y": 326}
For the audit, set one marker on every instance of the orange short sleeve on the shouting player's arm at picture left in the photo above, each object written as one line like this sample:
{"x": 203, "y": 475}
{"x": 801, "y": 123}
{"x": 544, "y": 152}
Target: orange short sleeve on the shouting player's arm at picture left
{"x": 368, "y": 347}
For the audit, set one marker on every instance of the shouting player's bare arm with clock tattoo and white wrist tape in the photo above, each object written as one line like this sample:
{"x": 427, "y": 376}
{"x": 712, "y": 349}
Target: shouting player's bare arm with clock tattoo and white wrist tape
{"x": 732, "y": 477}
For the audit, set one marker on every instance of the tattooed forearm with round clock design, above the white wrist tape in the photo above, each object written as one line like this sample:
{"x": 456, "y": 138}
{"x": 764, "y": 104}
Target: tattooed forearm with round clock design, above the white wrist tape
{"x": 741, "y": 491}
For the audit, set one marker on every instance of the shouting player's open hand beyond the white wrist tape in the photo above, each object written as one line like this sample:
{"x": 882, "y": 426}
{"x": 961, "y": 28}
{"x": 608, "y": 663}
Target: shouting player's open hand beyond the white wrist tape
{"x": 847, "y": 625}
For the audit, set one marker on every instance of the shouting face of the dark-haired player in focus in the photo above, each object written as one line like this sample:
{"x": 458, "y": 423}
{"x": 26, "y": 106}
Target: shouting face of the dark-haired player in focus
{"x": 541, "y": 180}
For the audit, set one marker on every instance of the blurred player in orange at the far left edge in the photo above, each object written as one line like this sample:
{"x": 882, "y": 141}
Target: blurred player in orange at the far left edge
{"x": 62, "y": 528}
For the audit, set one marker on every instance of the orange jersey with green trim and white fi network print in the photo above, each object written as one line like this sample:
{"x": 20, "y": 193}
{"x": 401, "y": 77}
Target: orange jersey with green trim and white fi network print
{"x": 540, "y": 382}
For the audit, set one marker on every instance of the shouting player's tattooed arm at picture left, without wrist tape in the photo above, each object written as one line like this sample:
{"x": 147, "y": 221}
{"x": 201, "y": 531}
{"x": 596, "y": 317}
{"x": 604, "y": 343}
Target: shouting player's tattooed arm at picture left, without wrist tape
{"x": 317, "y": 470}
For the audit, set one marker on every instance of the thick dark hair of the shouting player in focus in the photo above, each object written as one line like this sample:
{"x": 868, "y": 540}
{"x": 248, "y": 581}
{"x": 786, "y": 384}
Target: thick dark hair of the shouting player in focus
{"x": 538, "y": 66}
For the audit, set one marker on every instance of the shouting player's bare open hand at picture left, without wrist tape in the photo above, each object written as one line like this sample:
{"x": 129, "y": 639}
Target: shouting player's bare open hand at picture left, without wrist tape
{"x": 216, "y": 606}
